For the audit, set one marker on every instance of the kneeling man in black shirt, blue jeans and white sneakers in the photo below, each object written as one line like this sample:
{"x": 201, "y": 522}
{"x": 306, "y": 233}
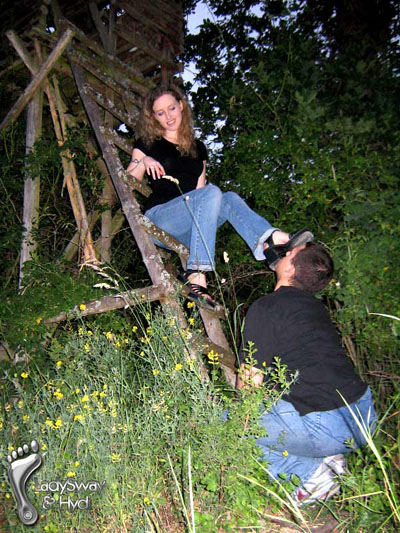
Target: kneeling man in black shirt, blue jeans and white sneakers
{"x": 309, "y": 429}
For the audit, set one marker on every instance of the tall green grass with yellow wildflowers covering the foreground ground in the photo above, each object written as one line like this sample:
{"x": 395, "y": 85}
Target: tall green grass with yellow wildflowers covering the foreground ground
{"x": 127, "y": 406}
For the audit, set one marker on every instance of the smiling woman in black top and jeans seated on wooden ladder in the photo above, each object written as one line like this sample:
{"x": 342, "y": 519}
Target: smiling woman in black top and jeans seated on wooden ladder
{"x": 183, "y": 204}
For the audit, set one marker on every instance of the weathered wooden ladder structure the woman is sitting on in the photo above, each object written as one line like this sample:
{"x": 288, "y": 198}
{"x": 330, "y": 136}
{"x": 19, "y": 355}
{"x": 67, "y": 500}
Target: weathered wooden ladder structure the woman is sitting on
{"x": 111, "y": 53}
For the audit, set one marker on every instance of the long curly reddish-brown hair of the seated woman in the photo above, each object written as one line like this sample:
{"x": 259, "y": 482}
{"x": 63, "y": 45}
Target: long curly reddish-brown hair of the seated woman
{"x": 150, "y": 129}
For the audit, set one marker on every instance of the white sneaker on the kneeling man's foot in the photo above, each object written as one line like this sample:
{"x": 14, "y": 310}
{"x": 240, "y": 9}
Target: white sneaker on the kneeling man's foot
{"x": 320, "y": 486}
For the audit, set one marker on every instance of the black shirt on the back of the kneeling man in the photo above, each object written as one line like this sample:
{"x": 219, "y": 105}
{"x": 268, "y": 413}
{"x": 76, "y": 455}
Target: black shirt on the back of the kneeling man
{"x": 295, "y": 326}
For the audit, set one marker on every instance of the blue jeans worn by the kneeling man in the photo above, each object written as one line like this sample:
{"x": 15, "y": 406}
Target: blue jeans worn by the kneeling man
{"x": 310, "y": 438}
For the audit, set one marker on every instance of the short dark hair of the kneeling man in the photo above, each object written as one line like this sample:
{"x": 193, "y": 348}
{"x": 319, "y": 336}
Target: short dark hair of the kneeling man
{"x": 313, "y": 268}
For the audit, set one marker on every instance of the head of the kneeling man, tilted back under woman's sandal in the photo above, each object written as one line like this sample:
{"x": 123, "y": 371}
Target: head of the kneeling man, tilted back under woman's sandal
{"x": 307, "y": 267}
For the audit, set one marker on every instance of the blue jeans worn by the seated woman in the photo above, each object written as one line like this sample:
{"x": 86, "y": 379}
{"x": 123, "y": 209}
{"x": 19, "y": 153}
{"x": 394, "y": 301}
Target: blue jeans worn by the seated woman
{"x": 194, "y": 218}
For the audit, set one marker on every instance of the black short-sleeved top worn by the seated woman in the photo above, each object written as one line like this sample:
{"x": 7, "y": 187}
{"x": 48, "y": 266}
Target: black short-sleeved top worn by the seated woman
{"x": 186, "y": 169}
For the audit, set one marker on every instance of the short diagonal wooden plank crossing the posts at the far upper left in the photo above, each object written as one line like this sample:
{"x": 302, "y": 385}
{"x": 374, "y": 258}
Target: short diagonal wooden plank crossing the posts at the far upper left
{"x": 37, "y": 80}
